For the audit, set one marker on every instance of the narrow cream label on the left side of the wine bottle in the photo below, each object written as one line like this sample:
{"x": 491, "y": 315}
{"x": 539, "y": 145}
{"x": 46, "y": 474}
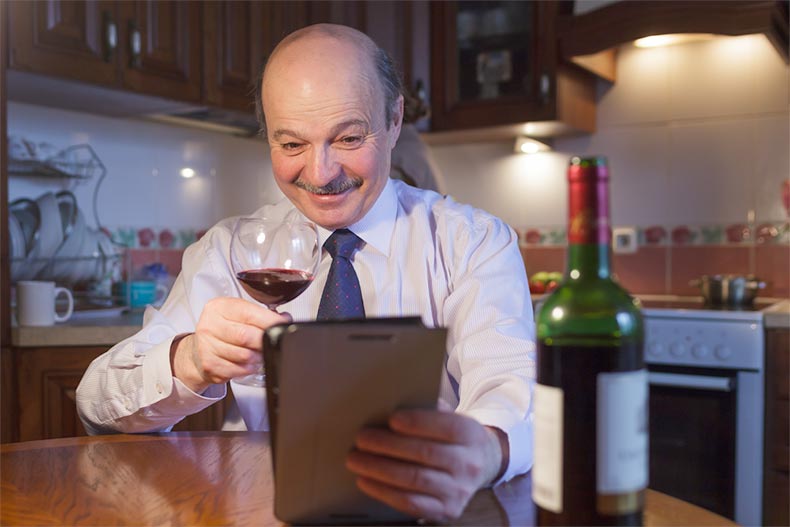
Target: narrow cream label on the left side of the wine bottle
{"x": 547, "y": 468}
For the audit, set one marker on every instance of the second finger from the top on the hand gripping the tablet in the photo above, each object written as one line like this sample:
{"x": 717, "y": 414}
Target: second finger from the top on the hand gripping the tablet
{"x": 408, "y": 448}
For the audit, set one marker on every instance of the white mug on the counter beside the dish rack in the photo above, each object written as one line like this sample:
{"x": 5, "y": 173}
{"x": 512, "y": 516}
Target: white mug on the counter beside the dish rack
{"x": 35, "y": 303}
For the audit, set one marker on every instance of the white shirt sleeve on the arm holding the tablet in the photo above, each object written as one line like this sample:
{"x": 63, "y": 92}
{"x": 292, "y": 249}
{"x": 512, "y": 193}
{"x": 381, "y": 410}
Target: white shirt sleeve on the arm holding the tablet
{"x": 491, "y": 335}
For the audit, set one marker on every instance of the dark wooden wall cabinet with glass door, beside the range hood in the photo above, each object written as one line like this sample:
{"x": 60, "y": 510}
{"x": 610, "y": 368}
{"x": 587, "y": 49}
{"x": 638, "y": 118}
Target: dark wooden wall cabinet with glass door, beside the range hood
{"x": 496, "y": 63}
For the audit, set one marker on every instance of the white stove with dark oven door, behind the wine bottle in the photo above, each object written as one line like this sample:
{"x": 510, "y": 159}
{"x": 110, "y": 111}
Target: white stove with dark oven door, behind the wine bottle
{"x": 706, "y": 372}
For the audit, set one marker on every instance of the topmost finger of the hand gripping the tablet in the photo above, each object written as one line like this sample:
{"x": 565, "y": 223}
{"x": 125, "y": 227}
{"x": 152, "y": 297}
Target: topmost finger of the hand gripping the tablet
{"x": 436, "y": 425}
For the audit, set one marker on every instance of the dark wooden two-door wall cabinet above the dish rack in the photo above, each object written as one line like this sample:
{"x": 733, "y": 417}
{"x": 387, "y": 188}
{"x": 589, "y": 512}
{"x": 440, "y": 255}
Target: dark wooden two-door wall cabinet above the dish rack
{"x": 150, "y": 48}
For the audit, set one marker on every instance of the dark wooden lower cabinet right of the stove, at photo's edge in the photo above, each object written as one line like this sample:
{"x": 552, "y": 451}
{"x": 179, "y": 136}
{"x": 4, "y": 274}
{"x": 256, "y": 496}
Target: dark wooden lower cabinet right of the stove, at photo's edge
{"x": 776, "y": 487}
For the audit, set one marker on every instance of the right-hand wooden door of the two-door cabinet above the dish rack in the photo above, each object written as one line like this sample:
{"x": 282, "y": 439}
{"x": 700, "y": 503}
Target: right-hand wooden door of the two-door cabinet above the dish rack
{"x": 162, "y": 51}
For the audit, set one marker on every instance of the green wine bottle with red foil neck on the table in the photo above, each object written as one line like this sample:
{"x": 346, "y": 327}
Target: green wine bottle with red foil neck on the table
{"x": 591, "y": 438}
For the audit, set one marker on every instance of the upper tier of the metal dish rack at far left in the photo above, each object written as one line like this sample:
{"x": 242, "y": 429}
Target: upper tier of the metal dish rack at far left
{"x": 76, "y": 162}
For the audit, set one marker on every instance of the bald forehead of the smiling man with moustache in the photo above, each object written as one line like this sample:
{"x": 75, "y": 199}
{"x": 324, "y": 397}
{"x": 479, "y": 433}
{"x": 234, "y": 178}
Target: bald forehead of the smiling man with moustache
{"x": 321, "y": 77}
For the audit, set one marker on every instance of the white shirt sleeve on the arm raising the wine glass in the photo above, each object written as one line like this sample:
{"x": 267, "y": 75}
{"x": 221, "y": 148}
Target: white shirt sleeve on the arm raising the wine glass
{"x": 131, "y": 387}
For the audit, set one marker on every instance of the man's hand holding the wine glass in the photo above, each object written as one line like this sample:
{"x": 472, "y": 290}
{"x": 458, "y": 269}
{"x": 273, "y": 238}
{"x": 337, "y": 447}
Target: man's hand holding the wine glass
{"x": 227, "y": 343}
